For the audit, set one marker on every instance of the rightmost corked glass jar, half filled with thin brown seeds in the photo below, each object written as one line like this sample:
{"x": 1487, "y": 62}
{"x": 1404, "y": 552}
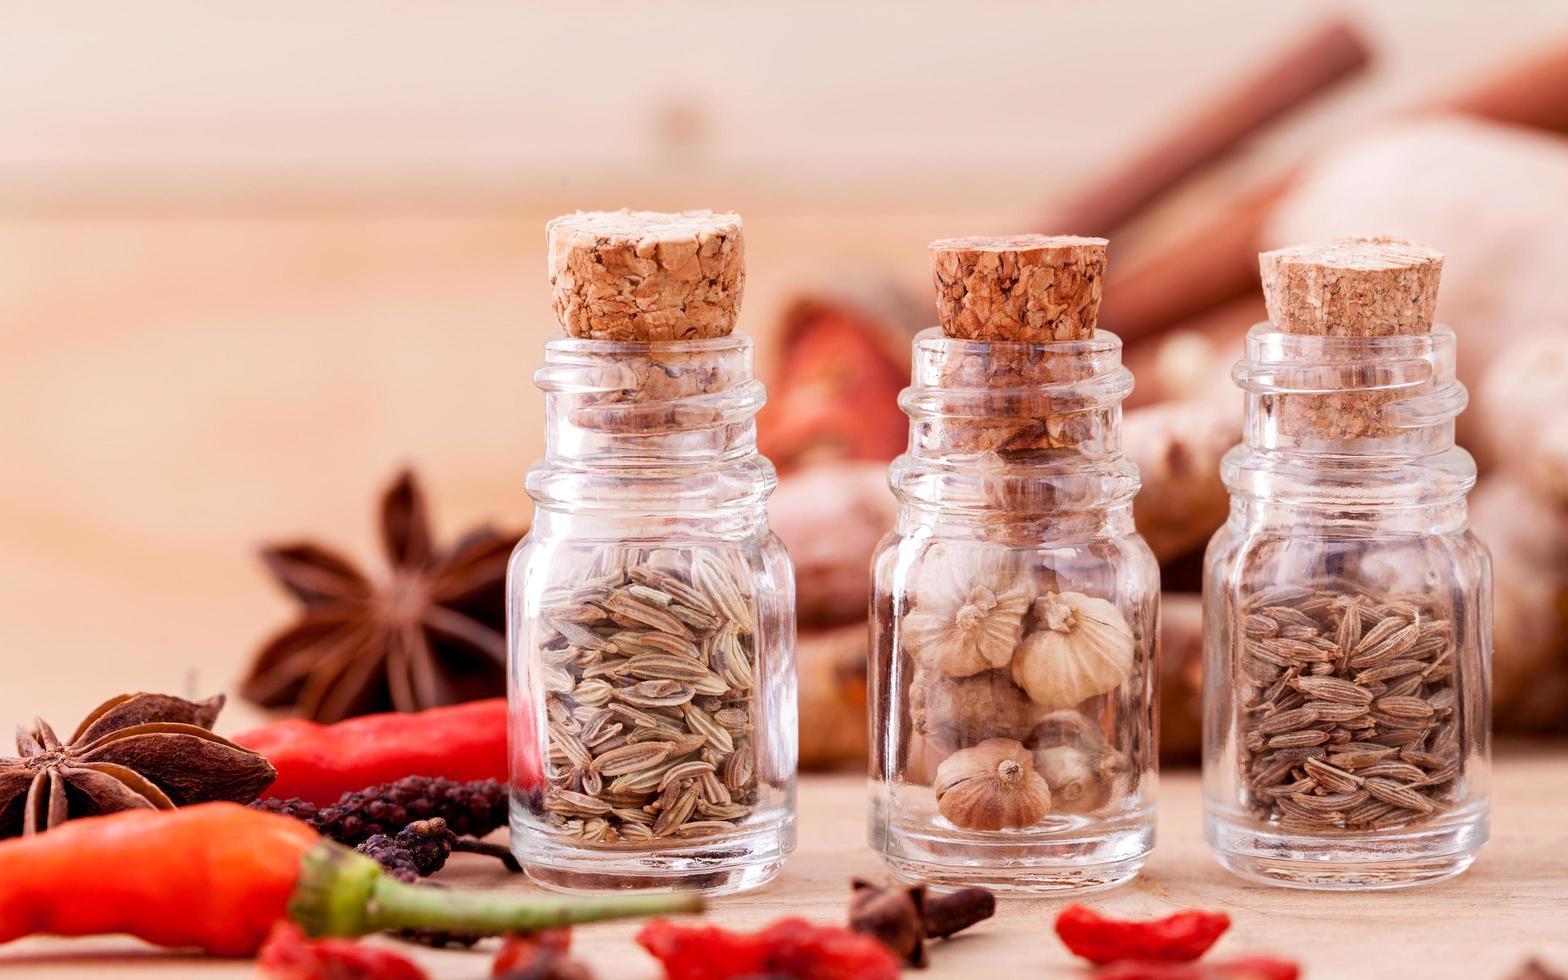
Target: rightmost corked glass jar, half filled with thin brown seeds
{"x": 1348, "y": 608}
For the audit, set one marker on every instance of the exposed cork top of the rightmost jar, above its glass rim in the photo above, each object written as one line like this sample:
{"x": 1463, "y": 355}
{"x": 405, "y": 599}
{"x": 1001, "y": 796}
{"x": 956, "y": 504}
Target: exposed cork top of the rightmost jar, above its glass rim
{"x": 1352, "y": 288}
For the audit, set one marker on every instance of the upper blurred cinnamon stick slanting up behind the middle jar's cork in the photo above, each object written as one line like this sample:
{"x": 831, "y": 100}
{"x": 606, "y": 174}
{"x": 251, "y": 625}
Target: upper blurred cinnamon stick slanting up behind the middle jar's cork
{"x": 1321, "y": 60}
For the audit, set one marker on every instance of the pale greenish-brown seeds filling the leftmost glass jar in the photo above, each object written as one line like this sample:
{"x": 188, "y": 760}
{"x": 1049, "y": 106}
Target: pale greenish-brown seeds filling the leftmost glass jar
{"x": 650, "y": 700}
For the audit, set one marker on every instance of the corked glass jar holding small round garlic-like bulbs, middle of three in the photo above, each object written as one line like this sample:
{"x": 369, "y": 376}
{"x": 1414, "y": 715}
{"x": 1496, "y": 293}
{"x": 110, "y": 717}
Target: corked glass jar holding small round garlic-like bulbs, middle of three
{"x": 1015, "y": 608}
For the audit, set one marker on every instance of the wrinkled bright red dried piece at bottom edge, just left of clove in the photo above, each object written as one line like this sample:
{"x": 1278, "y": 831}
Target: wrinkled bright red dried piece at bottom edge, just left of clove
{"x": 789, "y": 948}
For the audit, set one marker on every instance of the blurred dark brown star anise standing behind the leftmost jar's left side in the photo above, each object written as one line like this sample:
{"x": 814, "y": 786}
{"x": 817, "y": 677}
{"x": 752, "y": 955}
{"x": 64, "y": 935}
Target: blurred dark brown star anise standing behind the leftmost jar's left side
{"x": 430, "y": 633}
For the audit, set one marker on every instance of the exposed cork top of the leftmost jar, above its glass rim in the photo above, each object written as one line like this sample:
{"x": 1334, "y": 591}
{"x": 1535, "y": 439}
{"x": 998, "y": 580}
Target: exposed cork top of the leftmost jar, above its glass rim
{"x": 647, "y": 275}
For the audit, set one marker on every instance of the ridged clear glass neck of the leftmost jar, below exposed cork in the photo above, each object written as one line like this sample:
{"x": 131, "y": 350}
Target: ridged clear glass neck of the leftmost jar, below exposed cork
{"x": 655, "y": 430}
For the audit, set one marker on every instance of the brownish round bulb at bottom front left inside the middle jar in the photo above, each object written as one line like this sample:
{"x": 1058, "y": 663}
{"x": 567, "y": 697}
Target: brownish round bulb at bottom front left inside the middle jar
{"x": 992, "y": 786}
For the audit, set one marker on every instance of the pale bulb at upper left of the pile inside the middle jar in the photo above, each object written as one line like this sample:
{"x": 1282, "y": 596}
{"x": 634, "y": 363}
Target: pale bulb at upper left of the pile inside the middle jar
{"x": 968, "y": 617}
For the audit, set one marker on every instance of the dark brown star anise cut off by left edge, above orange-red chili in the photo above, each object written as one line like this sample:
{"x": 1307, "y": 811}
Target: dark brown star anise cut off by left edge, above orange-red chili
{"x": 132, "y": 752}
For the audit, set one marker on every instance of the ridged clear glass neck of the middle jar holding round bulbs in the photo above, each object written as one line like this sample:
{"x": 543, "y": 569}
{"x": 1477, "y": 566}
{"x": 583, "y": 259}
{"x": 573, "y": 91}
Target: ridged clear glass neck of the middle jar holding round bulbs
{"x": 1017, "y": 434}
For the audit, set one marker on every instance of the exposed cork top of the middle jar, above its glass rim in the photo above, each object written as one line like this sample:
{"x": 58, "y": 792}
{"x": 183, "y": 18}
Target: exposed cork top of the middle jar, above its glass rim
{"x": 1020, "y": 288}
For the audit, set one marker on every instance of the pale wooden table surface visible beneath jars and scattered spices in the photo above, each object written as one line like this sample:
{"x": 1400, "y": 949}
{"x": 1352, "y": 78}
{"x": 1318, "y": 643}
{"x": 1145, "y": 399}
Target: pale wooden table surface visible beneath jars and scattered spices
{"x": 1512, "y": 904}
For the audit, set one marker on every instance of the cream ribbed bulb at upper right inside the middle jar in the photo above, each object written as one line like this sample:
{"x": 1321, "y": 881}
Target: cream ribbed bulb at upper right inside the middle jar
{"x": 1081, "y": 647}
